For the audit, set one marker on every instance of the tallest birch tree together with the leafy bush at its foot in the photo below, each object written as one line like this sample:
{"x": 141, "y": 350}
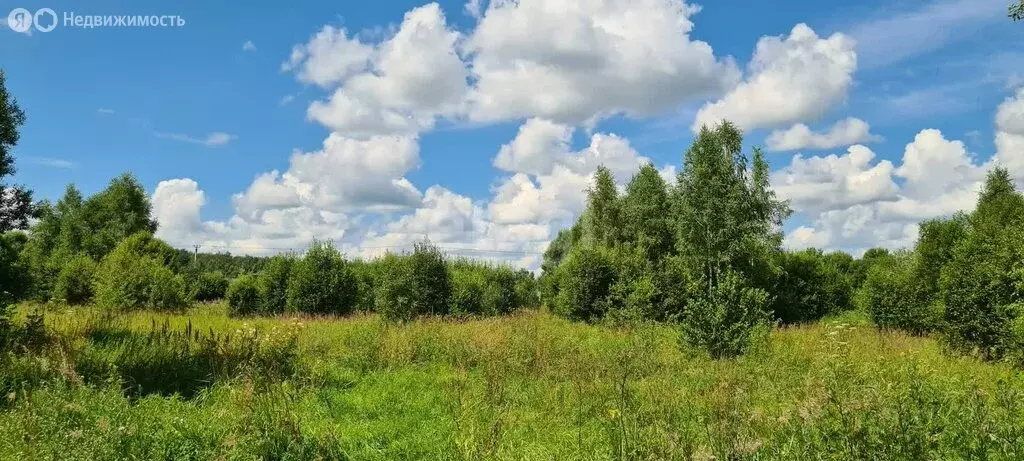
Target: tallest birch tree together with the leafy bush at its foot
{"x": 730, "y": 226}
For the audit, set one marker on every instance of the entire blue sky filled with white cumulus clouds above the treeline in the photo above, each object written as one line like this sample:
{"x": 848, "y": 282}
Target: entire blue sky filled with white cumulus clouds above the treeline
{"x": 479, "y": 124}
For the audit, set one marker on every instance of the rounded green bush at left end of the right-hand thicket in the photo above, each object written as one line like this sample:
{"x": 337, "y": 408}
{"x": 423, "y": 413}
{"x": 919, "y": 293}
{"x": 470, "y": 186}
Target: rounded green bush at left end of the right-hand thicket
{"x": 892, "y": 300}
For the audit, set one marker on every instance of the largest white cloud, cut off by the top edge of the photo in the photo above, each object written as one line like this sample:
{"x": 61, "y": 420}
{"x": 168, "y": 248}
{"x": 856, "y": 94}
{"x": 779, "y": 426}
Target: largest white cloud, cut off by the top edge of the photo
{"x": 578, "y": 61}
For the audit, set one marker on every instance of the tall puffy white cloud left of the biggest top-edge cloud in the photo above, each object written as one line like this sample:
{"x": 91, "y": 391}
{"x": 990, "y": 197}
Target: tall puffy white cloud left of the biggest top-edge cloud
{"x": 409, "y": 80}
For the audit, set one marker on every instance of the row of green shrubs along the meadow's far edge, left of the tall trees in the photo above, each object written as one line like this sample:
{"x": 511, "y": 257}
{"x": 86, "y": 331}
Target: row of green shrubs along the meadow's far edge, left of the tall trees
{"x": 399, "y": 287}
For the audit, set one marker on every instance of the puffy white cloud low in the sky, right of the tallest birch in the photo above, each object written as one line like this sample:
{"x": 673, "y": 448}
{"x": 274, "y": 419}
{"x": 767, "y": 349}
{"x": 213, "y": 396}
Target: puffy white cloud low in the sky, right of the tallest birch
{"x": 855, "y": 203}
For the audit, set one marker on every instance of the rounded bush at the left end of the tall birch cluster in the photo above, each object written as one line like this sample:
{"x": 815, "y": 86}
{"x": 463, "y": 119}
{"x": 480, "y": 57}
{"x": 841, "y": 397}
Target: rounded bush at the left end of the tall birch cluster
{"x": 585, "y": 281}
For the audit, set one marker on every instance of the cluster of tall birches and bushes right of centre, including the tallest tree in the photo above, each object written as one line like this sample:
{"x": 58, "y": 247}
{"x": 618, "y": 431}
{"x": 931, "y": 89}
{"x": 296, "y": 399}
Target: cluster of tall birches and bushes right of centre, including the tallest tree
{"x": 704, "y": 253}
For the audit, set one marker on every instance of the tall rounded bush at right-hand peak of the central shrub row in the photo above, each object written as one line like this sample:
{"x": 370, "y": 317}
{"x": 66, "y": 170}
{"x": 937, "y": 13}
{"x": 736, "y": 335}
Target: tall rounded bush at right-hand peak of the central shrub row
{"x": 414, "y": 285}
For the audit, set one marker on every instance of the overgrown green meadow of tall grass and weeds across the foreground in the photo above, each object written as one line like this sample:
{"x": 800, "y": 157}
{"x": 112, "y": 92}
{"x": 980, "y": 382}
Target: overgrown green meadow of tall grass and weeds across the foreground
{"x": 203, "y": 386}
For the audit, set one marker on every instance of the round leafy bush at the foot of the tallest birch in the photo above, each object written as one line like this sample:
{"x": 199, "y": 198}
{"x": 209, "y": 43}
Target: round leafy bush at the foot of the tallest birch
{"x": 726, "y": 321}
